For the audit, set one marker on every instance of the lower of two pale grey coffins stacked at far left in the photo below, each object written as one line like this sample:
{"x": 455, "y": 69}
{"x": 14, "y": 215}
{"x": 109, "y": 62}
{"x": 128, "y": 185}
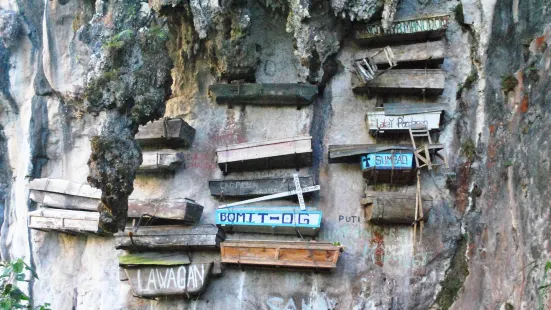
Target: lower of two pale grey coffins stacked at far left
{"x": 70, "y": 221}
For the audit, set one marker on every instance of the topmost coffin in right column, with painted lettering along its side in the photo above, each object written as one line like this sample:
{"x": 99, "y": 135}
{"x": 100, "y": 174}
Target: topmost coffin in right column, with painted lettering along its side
{"x": 416, "y": 29}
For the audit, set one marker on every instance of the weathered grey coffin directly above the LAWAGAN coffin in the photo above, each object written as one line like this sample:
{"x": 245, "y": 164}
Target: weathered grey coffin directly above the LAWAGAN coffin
{"x": 169, "y": 237}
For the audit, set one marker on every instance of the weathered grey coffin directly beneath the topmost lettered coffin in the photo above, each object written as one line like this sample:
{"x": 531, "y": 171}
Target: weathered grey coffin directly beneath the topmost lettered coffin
{"x": 434, "y": 51}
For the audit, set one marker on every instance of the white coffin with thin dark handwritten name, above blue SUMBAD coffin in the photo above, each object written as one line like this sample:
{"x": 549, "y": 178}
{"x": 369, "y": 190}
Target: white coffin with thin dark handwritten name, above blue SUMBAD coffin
{"x": 382, "y": 120}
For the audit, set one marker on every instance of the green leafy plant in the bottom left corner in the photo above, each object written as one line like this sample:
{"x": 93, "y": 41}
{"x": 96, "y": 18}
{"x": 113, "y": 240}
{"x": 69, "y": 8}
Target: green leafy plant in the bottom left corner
{"x": 11, "y": 296}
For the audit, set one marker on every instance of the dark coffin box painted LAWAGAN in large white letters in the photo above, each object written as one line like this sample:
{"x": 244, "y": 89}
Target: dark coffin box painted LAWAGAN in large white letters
{"x": 180, "y": 280}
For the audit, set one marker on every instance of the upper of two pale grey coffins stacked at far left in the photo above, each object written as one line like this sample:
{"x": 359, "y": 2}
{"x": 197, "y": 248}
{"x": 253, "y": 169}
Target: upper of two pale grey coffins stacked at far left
{"x": 57, "y": 193}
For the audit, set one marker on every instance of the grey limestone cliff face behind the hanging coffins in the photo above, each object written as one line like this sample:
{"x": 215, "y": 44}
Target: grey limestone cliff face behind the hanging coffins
{"x": 77, "y": 77}
